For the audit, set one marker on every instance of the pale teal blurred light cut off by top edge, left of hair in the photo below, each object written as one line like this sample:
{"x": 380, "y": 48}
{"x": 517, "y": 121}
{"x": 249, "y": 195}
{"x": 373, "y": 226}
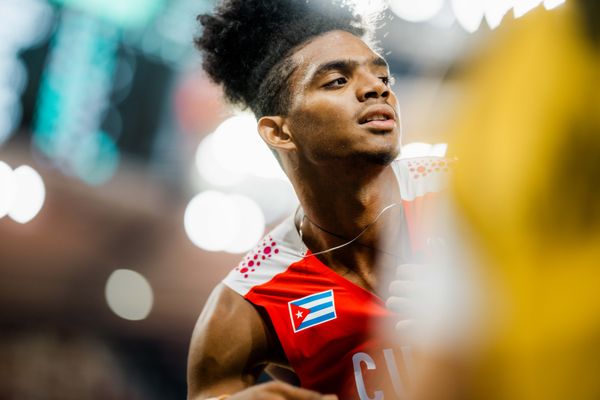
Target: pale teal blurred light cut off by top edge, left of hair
{"x": 124, "y": 13}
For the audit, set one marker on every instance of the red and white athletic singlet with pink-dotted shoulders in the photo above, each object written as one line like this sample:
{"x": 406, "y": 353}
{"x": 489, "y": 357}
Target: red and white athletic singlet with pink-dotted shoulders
{"x": 325, "y": 322}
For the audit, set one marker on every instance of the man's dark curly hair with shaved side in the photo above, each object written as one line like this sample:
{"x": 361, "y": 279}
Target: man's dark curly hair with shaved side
{"x": 246, "y": 45}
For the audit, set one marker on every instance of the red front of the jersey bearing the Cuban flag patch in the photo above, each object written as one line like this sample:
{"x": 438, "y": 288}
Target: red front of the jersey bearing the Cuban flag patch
{"x": 327, "y": 324}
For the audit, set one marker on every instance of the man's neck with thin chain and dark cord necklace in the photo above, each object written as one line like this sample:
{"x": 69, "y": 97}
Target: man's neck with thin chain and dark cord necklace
{"x": 339, "y": 204}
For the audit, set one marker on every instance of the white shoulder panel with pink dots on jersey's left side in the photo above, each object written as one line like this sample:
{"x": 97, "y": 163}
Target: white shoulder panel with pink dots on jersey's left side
{"x": 279, "y": 249}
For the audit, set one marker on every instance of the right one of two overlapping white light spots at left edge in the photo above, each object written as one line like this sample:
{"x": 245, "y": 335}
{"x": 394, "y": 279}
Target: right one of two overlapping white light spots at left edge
{"x": 30, "y": 194}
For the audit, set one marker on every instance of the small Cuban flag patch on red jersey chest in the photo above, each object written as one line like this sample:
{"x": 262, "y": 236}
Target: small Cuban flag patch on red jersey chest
{"x": 312, "y": 310}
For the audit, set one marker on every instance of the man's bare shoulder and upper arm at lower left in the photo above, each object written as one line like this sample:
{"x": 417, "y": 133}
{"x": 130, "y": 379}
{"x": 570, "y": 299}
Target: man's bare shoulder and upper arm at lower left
{"x": 229, "y": 346}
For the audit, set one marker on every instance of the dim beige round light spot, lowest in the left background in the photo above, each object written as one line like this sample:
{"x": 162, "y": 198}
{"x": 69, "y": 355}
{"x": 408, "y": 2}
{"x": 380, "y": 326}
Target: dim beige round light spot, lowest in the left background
{"x": 129, "y": 295}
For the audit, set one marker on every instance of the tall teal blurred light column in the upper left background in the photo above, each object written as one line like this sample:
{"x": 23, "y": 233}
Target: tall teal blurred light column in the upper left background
{"x": 74, "y": 97}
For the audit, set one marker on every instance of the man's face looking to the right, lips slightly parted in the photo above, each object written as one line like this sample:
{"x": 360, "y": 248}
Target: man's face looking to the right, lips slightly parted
{"x": 342, "y": 106}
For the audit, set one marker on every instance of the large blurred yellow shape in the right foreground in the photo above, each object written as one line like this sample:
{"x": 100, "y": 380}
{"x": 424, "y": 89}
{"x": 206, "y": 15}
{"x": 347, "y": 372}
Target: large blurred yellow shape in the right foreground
{"x": 528, "y": 187}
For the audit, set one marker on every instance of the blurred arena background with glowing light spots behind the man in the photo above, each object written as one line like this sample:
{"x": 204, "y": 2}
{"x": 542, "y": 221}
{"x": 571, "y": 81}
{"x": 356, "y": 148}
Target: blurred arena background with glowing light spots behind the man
{"x": 128, "y": 189}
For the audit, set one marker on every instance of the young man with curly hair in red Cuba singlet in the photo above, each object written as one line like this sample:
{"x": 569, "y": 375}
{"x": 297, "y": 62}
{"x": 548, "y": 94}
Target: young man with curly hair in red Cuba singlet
{"x": 309, "y": 297}
